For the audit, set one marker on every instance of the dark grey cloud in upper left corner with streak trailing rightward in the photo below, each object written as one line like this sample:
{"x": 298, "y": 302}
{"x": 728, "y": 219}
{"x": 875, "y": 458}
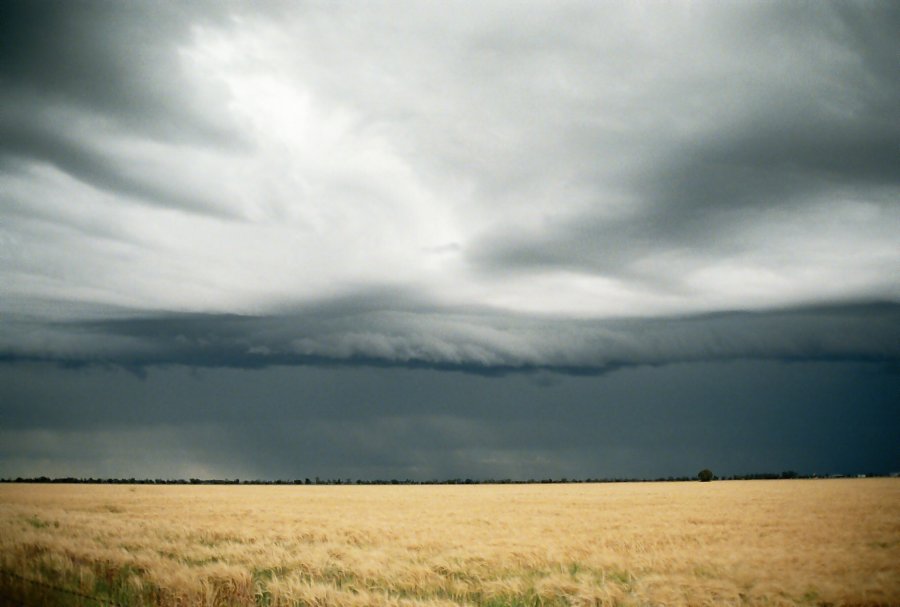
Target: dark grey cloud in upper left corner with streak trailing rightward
{"x": 75, "y": 76}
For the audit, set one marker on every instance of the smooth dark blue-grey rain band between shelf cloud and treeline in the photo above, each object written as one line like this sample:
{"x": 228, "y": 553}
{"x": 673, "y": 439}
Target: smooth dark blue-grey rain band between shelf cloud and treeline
{"x": 377, "y": 423}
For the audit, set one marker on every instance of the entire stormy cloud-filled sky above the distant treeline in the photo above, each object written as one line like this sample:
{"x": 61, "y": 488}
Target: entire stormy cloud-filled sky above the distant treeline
{"x": 449, "y": 240}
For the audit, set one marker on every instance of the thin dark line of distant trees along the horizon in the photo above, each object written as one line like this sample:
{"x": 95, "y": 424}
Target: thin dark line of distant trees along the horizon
{"x": 787, "y": 474}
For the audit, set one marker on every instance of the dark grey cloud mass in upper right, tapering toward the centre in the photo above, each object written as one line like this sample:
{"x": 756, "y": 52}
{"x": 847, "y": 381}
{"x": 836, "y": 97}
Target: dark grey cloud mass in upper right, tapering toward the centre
{"x": 812, "y": 115}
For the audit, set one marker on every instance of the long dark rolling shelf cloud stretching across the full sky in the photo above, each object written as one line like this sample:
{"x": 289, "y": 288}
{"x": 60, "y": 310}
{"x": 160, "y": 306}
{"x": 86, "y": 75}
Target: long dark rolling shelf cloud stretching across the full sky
{"x": 368, "y": 332}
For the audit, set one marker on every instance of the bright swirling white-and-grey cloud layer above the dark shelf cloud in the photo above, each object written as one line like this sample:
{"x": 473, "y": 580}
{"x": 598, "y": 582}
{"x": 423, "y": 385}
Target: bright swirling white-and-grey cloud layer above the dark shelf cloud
{"x": 574, "y": 159}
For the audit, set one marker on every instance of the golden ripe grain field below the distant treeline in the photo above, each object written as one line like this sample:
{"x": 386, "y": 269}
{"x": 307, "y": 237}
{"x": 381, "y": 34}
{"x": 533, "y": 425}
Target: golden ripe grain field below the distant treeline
{"x": 796, "y": 542}
